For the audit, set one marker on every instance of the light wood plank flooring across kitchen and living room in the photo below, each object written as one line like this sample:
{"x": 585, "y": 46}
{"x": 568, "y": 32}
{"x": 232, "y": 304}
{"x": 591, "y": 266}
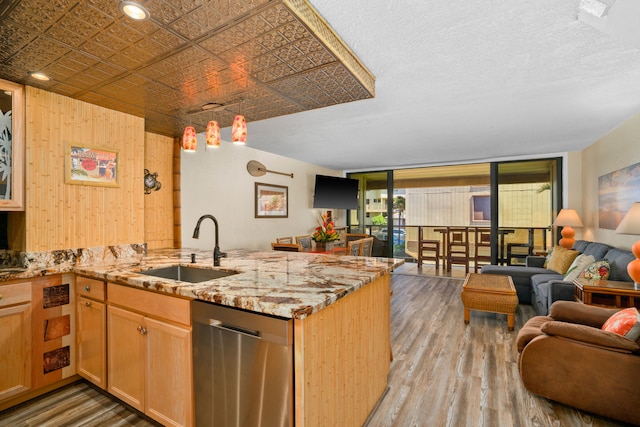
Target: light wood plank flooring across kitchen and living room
{"x": 444, "y": 373}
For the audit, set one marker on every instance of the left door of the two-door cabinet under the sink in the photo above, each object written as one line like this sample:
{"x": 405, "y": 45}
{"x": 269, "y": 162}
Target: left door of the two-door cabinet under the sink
{"x": 126, "y": 356}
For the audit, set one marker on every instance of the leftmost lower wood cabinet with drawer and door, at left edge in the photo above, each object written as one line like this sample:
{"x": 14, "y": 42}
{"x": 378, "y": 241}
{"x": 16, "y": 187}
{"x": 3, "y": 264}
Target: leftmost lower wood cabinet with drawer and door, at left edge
{"x": 15, "y": 339}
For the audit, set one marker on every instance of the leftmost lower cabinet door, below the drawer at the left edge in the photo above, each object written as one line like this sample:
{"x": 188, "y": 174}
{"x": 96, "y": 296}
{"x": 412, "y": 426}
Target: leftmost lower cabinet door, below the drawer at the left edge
{"x": 15, "y": 356}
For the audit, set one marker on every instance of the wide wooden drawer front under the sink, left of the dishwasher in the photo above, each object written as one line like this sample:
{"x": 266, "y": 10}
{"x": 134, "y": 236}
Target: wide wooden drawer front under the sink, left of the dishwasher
{"x": 163, "y": 306}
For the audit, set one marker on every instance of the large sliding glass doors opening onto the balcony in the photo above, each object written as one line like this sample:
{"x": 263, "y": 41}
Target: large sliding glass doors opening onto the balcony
{"x": 515, "y": 200}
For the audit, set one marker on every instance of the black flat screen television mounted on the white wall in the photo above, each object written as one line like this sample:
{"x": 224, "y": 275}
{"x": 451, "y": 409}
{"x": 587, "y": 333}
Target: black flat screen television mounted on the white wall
{"x": 332, "y": 192}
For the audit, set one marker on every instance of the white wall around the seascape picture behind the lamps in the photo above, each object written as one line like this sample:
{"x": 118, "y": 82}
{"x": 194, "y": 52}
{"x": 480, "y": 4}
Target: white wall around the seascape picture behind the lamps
{"x": 616, "y": 150}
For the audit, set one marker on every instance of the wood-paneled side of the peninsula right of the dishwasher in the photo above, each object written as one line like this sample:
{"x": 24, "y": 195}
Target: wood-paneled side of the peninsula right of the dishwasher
{"x": 342, "y": 358}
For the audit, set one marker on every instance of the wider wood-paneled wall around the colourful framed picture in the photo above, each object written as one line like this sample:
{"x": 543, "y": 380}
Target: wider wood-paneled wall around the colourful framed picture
{"x": 62, "y": 216}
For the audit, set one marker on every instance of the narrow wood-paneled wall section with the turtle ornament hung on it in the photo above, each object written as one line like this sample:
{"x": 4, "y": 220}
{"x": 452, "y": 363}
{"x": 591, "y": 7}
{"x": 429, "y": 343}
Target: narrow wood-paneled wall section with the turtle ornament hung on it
{"x": 158, "y": 205}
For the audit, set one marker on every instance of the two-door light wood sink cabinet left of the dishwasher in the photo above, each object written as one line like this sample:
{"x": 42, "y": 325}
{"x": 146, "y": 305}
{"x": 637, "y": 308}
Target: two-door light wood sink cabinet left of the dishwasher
{"x": 149, "y": 360}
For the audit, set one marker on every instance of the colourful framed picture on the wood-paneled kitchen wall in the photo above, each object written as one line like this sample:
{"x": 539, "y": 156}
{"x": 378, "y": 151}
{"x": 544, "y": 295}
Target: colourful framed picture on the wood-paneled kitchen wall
{"x": 91, "y": 166}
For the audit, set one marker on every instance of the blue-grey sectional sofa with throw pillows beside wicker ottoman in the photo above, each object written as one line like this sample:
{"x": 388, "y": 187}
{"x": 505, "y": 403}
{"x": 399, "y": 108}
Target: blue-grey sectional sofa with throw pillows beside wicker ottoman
{"x": 540, "y": 286}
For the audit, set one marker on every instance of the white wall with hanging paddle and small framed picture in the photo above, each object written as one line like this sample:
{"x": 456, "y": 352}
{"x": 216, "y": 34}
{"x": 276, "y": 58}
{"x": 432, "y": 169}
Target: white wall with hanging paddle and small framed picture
{"x": 217, "y": 182}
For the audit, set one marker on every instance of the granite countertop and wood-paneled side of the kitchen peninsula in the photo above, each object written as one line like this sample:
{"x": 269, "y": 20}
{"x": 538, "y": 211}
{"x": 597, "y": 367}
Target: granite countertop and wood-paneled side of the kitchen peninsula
{"x": 339, "y": 307}
